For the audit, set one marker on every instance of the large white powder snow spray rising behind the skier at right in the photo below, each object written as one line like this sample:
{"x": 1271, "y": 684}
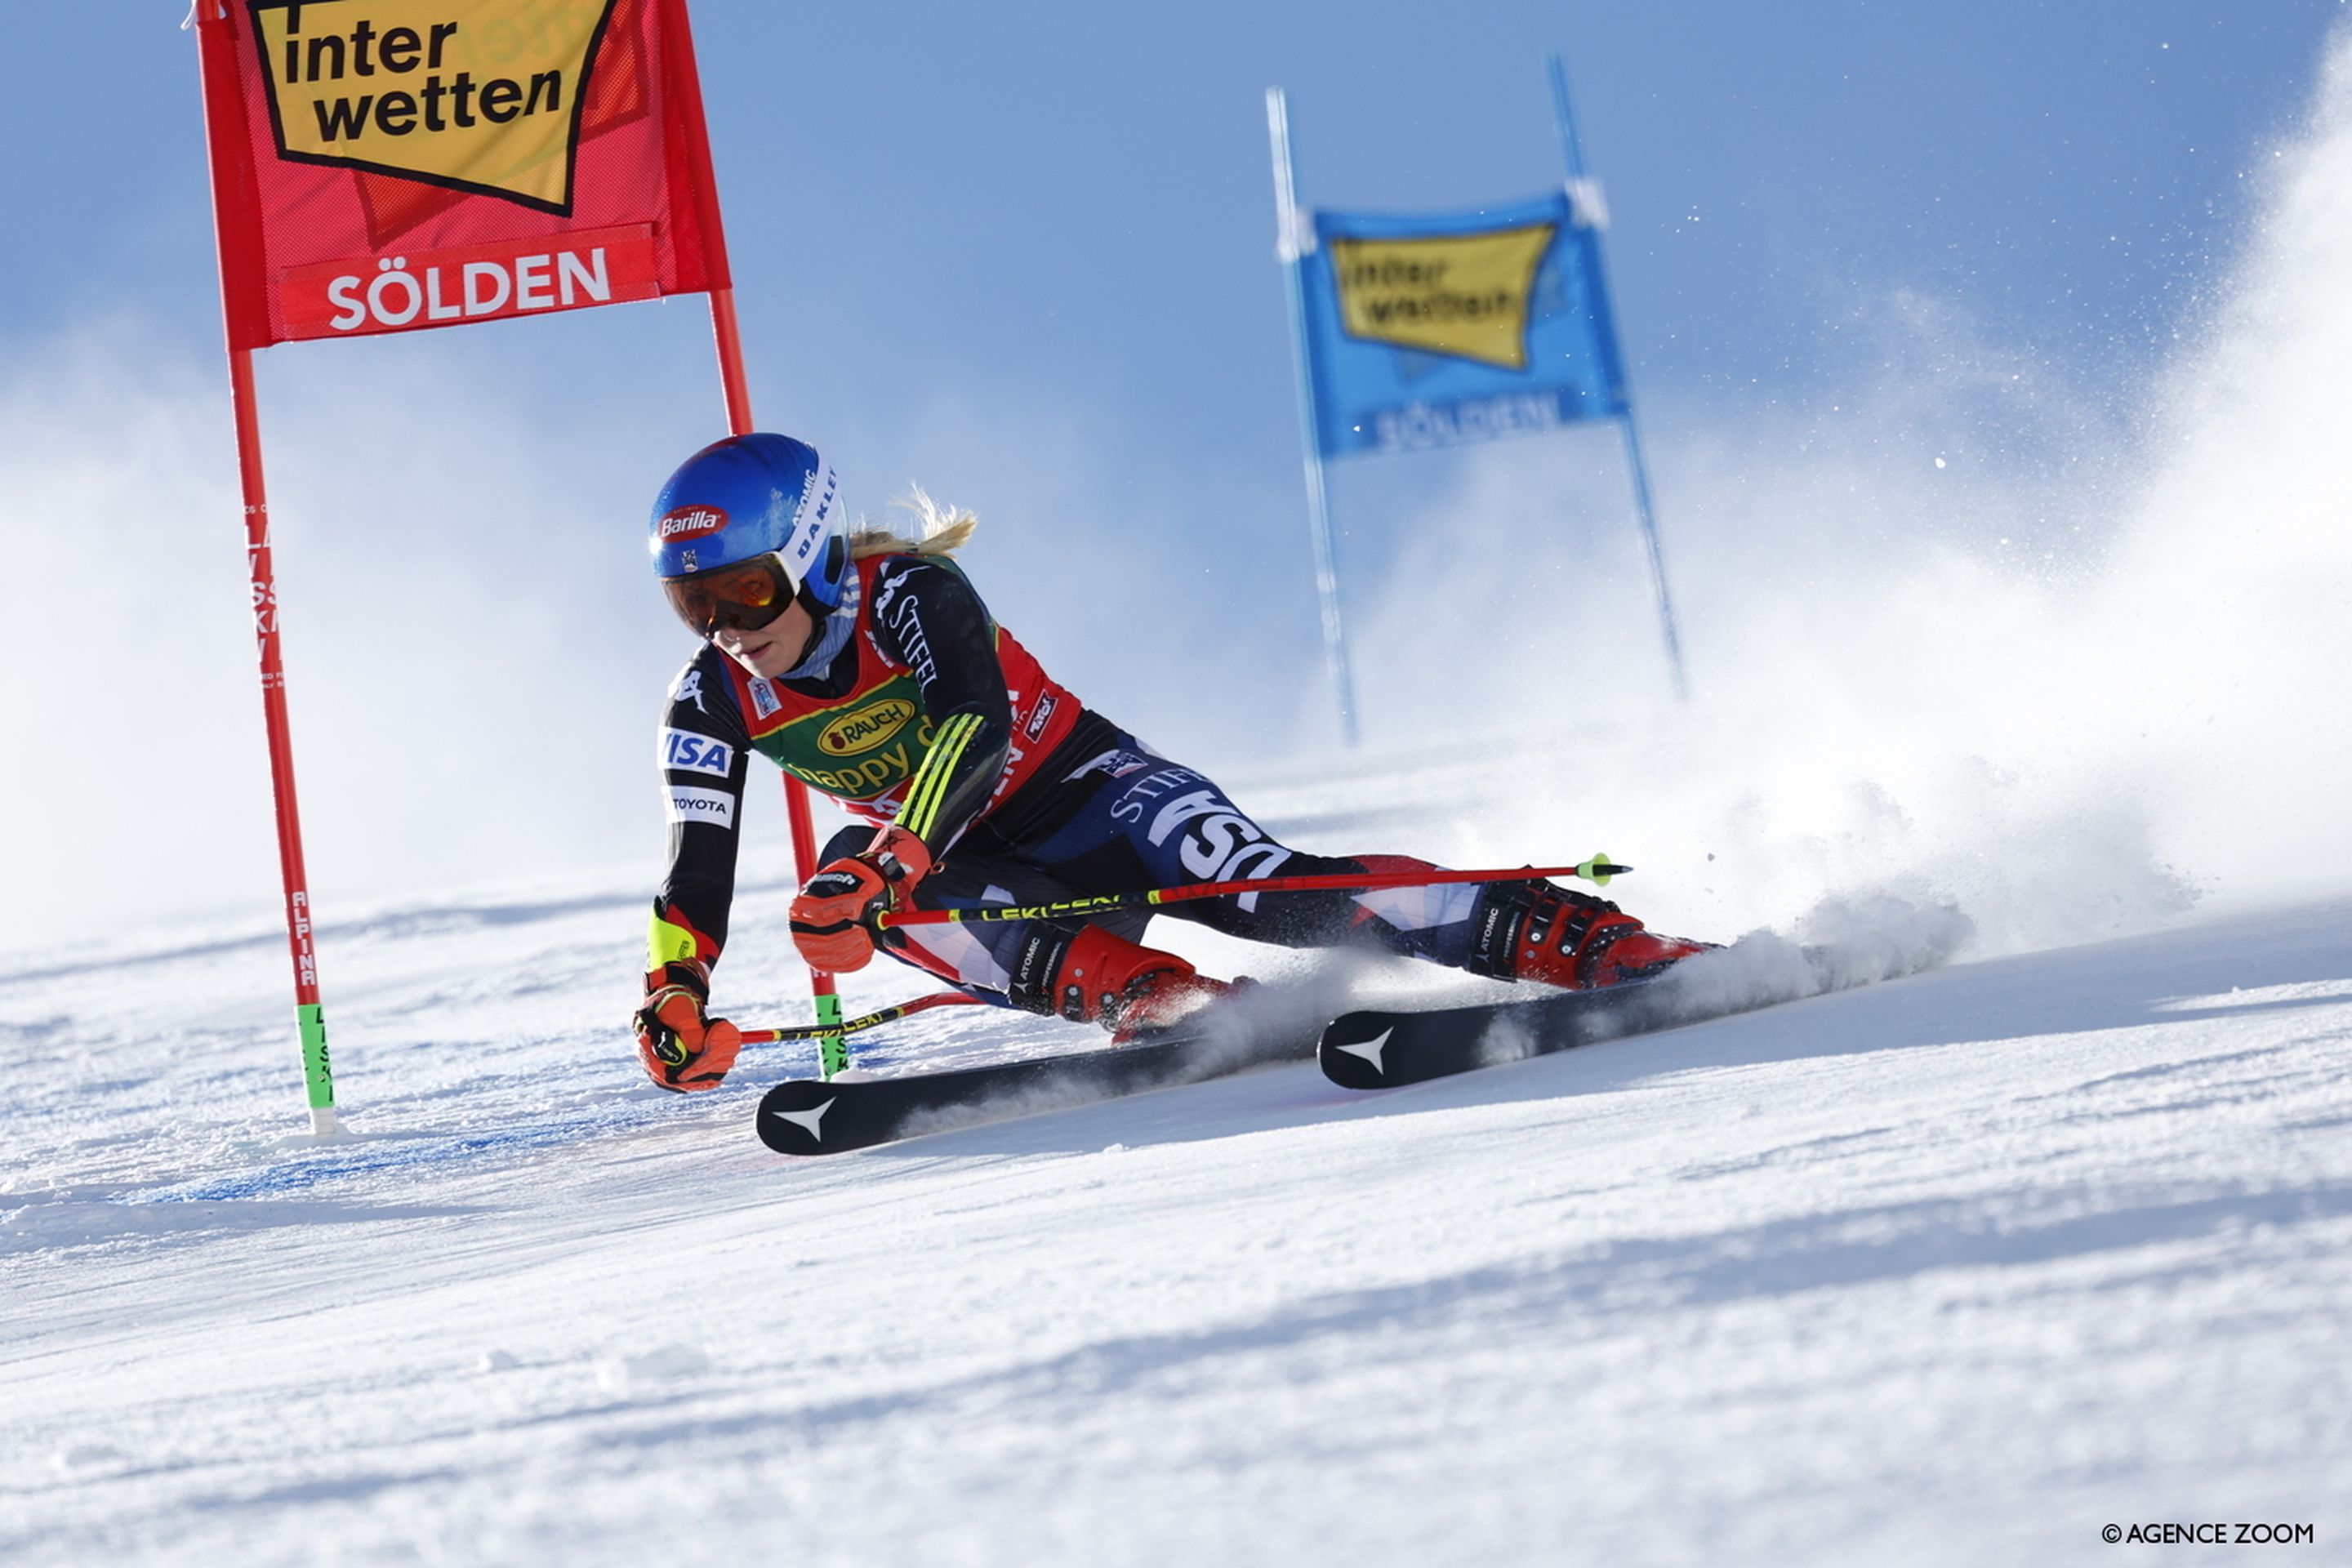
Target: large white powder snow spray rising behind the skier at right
{"x": 1956, "y": 634}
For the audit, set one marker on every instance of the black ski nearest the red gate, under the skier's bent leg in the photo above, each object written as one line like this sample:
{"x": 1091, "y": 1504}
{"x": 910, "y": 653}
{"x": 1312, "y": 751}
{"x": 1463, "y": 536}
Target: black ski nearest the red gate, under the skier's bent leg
{"x": 841, "y": 1115}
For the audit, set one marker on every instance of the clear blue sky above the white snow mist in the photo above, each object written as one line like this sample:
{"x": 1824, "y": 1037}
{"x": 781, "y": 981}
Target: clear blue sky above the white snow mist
{"x": 1076, "y": 196}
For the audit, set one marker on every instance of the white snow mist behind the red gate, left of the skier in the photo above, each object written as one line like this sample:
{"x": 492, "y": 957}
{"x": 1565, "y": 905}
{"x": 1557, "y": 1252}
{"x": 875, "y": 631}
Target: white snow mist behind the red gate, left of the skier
{"x": 474, "y": 657}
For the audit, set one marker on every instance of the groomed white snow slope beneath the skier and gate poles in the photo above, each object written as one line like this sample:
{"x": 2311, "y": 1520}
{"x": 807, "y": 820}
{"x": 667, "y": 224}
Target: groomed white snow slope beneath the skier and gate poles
{"x": 1949, "y": 1271}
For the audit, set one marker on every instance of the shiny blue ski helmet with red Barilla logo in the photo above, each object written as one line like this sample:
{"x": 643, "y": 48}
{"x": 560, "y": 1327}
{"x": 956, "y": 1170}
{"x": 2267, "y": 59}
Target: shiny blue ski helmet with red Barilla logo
{"x": 749, "y": 497}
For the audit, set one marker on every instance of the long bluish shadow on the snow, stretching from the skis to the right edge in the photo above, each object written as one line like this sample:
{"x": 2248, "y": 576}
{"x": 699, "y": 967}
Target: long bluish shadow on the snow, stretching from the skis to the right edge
{"x": 2163, "y": 979}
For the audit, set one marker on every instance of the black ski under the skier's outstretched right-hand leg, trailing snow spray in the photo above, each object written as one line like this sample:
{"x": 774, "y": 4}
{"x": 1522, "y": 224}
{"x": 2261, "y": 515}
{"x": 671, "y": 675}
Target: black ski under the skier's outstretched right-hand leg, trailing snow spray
{"x": 1394, "y": 1050}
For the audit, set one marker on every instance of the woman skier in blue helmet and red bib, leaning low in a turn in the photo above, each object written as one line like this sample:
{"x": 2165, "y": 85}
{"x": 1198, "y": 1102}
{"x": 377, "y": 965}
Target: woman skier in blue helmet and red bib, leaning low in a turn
{"x": 869, "y": 669}
